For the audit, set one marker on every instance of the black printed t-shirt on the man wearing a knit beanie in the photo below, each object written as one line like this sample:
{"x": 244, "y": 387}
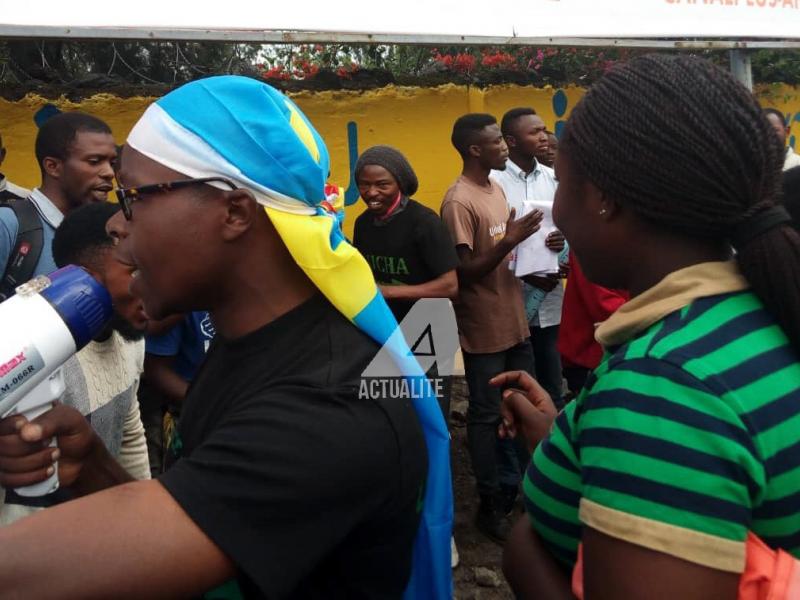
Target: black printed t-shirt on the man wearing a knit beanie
{"x": 412, "y": 247}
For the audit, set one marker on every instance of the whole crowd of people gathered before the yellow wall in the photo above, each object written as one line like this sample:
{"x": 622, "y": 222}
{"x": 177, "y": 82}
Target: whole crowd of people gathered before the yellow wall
{"x": 636, "y": 393}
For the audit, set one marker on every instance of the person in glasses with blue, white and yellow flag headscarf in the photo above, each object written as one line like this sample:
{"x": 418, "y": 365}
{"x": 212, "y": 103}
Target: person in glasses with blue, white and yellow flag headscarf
{"x": 290, "y": 484}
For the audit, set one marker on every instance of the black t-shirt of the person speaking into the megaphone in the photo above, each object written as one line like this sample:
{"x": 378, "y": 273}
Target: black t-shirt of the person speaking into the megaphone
{"x": 312, "y": 491}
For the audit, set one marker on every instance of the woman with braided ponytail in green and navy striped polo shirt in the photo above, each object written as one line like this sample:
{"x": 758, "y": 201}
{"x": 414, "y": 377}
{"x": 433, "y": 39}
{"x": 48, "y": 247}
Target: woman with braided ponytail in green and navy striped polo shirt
{"x": 678, "y": 466}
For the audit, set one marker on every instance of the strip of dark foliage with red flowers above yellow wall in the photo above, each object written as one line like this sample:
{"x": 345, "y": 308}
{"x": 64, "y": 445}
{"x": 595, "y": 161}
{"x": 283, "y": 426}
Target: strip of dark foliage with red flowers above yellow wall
{"x": 170, "y": 63}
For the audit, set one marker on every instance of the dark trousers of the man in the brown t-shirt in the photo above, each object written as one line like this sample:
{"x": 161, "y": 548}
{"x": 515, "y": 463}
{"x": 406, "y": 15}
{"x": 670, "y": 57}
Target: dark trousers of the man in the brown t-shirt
{"x": 494, "y": 461}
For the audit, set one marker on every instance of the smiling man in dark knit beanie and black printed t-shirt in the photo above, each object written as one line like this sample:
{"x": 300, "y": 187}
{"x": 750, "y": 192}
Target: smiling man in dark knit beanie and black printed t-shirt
{"x": 407, "y": 246}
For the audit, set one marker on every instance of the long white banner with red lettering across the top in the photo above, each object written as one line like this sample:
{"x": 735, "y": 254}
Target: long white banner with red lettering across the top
{"x": 429, "y": 19}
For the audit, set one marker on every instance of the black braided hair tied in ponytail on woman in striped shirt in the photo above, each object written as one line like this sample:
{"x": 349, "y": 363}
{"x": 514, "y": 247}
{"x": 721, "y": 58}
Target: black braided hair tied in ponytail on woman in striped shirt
{"x": 687, "y": 148}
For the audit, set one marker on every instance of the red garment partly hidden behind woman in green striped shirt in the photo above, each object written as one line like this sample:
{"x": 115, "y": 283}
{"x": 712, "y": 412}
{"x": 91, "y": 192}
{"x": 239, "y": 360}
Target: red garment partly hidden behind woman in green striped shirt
{"x": 585, "y": 305}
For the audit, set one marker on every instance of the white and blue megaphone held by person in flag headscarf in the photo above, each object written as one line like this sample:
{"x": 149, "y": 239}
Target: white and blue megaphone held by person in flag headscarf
{"x": 48, "y": 320}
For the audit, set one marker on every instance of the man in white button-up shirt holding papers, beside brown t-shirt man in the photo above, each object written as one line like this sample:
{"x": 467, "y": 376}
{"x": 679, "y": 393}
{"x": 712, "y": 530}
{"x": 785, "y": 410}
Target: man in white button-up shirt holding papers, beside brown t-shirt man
{"x": 525, "y": 178}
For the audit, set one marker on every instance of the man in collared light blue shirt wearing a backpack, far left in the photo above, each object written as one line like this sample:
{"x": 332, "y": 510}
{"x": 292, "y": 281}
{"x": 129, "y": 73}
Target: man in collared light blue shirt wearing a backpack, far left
{"x": 76, "y": 153}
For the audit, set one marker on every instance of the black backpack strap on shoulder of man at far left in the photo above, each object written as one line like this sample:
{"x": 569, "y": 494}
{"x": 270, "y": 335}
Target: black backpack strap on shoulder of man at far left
{"x": 27, "y": 248}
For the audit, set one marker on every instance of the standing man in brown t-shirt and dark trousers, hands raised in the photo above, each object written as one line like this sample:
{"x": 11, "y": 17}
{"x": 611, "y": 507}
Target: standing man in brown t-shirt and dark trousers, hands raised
{"x": 491, "y": 320}
